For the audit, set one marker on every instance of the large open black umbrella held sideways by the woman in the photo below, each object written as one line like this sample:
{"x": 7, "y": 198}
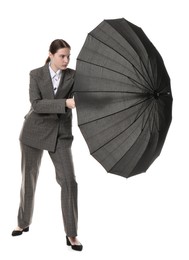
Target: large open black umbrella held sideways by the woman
{"x": 123, "y": 97}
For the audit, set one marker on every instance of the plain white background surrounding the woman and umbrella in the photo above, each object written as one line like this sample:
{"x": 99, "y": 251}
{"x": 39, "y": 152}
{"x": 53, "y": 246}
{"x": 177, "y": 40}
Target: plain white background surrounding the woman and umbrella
{"x": 143, "y": 217}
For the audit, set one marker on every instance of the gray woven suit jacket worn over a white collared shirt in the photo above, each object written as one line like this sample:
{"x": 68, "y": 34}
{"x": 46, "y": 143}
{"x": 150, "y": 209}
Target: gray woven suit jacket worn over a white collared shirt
{"x": 48, "y": 112}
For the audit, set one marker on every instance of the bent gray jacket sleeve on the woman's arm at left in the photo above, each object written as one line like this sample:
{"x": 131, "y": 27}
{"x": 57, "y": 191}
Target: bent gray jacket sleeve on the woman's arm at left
{"x": 40, "y": 105}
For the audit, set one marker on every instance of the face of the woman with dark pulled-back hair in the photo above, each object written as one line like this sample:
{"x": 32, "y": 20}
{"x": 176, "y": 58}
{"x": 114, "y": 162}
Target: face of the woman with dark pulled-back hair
{"x": 60, "y": 59}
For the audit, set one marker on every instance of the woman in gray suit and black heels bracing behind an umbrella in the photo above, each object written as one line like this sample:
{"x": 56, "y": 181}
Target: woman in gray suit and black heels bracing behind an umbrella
{"x": 48, "y": 126}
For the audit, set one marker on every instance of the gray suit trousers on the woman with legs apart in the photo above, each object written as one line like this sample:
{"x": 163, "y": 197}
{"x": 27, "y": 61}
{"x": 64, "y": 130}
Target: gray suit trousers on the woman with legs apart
{"x": 62, "y": 160}
